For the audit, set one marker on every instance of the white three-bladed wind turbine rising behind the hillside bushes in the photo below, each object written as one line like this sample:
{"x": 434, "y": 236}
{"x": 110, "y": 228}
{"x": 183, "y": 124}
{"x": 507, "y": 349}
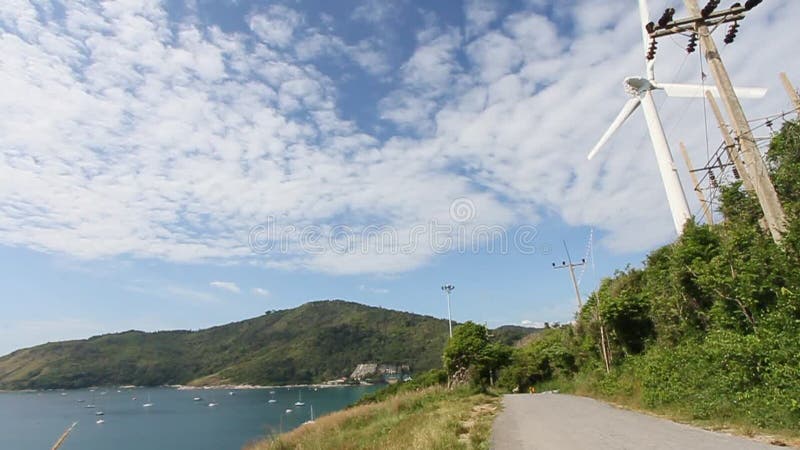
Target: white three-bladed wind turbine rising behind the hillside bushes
{"x": 641, "y": 91}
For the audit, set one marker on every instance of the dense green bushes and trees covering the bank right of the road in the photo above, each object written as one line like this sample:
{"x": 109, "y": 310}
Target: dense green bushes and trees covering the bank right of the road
{"x": 708, "y": 329}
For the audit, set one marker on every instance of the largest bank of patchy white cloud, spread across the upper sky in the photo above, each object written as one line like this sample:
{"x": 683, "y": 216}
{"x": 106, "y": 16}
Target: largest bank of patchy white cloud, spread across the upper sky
{"x": 126, "y": 134}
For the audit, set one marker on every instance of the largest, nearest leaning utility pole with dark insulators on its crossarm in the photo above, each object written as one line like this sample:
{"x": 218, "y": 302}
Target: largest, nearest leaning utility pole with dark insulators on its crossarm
{"x": 699, "y": 23}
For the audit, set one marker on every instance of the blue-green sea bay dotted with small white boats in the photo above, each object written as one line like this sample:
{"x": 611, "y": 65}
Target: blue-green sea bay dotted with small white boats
{"x": 175, "y": 421}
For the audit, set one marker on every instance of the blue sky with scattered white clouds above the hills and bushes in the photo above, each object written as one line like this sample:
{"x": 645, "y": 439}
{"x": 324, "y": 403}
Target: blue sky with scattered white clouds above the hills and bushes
{"x": 177, "y": 165}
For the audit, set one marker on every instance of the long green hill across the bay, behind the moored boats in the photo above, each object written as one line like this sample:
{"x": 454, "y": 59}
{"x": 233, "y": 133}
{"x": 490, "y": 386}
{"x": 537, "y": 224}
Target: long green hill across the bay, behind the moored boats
{"x": 314, "y": 342}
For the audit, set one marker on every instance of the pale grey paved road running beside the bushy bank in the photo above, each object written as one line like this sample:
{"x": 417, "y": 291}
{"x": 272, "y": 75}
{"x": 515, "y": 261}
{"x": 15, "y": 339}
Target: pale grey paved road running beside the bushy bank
{"x": 565, "y": 422}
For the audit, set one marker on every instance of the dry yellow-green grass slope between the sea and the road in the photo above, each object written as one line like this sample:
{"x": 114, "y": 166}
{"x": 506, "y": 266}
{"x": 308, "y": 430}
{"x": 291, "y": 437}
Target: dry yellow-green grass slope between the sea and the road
{"x": 432, "y": 418}
